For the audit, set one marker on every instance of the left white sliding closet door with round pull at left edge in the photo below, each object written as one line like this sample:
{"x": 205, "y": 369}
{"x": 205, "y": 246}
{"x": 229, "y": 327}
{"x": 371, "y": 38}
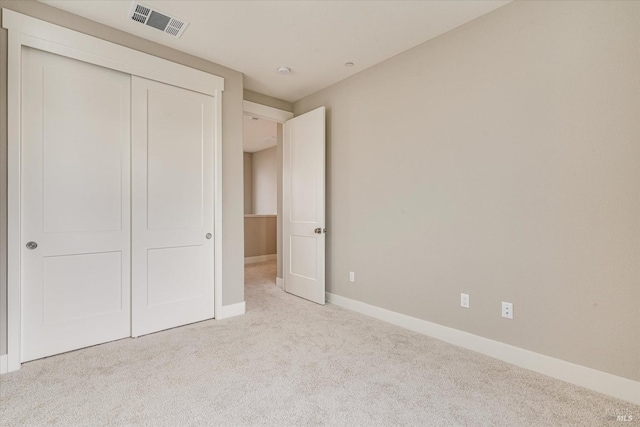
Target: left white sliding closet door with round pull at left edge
{"x": 75, "y": 226}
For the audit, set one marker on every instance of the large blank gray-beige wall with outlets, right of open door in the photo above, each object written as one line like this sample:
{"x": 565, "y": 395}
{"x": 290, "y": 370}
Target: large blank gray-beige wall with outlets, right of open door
{"x": 501, "y": 159}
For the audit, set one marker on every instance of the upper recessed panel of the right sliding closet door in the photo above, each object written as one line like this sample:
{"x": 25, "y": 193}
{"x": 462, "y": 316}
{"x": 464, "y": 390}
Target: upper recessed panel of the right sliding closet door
{"x": 174, "y": 161}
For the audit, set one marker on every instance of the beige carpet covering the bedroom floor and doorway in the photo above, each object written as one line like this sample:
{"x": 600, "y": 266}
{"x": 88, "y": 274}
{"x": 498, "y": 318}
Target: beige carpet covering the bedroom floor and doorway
{"x": 290, "y": 362}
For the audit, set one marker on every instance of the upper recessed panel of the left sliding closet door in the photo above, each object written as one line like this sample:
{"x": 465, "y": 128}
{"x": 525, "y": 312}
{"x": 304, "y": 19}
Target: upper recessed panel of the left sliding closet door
{"x": 82, "y": 152}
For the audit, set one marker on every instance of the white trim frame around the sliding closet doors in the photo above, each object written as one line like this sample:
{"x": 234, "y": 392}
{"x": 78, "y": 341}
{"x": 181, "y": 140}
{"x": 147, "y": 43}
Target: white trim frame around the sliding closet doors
{"x": 31, "y": 32}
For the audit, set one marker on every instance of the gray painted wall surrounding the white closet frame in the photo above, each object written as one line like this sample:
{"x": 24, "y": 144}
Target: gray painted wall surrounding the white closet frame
{"x": 233, "y": 219}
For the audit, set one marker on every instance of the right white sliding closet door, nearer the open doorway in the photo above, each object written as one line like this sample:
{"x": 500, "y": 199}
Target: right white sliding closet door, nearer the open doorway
{"x": 172, "y": 182}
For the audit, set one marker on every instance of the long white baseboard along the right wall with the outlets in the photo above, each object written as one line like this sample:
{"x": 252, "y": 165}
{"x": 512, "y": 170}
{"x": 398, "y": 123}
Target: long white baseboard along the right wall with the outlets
{"x": 602, "y": 382}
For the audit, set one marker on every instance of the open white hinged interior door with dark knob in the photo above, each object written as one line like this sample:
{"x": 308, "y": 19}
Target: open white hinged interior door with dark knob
{"x": 304, "y": 206}
